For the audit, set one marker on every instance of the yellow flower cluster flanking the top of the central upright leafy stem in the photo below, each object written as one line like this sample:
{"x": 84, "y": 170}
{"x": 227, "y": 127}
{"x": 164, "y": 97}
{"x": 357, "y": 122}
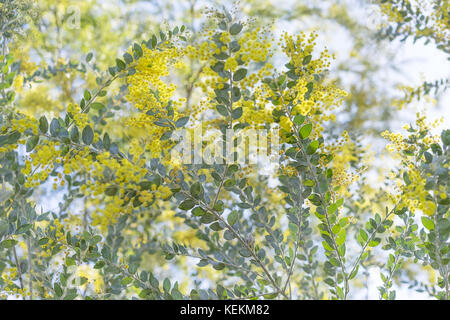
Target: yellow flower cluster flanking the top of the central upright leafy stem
{"x": 252, "y": 48}
